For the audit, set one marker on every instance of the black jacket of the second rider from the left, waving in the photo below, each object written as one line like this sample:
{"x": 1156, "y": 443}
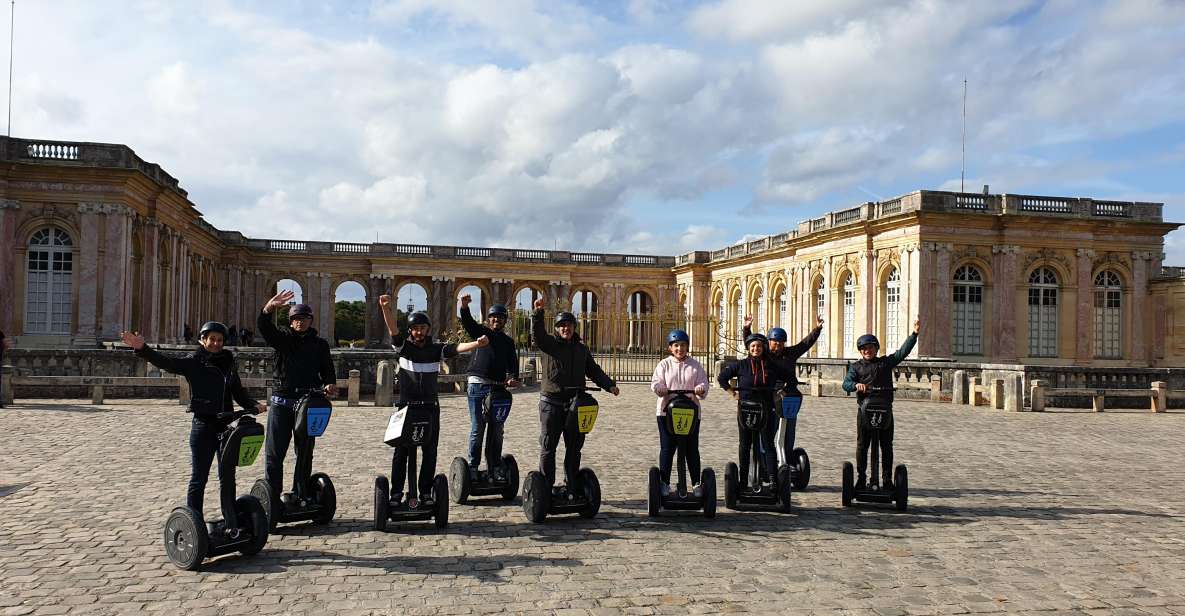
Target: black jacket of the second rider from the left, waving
{"x": 303, "y": 361}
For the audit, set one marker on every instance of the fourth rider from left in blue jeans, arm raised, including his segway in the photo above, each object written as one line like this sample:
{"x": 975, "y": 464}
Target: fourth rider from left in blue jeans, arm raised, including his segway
{"x": 492, "y": 373}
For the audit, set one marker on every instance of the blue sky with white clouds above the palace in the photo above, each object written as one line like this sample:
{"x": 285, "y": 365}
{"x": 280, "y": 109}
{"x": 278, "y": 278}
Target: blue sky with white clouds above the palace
{"x": 633, "y": 126}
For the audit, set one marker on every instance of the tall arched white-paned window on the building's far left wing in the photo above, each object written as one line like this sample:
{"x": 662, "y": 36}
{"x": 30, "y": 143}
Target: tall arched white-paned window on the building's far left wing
{"x": 49, "y": 292}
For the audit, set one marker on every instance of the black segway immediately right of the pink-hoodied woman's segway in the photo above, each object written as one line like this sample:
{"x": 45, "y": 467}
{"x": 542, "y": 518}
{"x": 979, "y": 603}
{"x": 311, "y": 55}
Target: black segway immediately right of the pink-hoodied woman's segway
{"x": 748, "y": 493}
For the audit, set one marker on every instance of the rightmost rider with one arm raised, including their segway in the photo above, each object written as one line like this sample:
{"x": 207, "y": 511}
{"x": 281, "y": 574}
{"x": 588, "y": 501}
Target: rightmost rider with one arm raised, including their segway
{"x": 872, "y": 378}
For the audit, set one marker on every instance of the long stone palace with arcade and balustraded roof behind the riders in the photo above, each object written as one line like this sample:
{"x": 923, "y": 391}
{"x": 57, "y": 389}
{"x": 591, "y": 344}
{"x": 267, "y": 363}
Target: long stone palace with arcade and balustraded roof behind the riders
{"x": 95, "y": 241}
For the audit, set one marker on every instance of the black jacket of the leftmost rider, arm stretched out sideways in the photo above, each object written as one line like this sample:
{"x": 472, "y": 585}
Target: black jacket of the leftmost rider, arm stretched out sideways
{"x": 213, "y": 377}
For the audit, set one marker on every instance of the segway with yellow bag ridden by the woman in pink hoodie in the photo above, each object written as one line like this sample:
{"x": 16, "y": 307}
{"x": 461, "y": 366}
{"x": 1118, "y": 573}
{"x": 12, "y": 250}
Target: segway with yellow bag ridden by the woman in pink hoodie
{"x": 681, "y": 421}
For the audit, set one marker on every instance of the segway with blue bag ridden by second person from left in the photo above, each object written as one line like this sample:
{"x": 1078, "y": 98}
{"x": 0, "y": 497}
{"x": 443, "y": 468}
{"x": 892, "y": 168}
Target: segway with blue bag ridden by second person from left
{"x": 313, "y": 497}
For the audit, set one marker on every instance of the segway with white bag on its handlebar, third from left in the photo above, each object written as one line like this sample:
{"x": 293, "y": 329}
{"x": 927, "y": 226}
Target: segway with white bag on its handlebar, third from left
{"x": 412, "y": 428}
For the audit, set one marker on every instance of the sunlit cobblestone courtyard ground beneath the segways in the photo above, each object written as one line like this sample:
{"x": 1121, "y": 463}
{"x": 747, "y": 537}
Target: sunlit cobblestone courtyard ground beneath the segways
{"x": 1068, "y": 512}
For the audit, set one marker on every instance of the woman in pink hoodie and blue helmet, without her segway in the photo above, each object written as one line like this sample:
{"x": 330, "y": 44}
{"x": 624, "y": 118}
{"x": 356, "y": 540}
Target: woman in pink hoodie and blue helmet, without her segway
{"x": 680, "y": 371}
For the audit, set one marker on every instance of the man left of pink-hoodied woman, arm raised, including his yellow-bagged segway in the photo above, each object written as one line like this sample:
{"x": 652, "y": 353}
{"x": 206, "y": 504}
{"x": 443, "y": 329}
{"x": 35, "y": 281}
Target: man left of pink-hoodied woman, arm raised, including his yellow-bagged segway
{"x": 566, "y": 410}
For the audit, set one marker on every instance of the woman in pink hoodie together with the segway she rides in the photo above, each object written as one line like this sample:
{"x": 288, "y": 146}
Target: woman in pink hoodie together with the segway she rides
{"x": 681, "y": 382}
